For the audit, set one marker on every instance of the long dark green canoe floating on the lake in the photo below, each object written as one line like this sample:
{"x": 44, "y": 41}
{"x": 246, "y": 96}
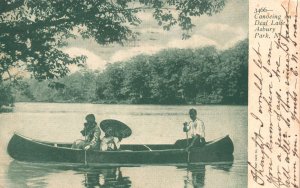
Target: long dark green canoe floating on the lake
{"x": 26, "y": 149}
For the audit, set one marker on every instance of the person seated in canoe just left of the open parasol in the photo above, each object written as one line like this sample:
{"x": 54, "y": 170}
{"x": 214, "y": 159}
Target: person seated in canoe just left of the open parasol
{"x": 91, "y": 132}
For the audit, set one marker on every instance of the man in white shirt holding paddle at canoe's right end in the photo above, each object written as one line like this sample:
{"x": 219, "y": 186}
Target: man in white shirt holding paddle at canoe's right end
{"x": 195, "y": 130}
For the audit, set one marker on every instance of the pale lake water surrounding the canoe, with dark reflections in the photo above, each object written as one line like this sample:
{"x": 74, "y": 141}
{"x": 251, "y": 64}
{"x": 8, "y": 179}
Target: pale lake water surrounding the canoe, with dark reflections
{"x": 151, "y": 124}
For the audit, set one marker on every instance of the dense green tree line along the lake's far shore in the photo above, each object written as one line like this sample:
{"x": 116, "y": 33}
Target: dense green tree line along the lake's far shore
{"x": 172, "y": 76}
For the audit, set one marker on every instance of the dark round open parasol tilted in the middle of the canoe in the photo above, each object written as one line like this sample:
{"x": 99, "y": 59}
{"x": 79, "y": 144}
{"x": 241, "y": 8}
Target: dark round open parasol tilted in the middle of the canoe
{"x": 115, "y": 128}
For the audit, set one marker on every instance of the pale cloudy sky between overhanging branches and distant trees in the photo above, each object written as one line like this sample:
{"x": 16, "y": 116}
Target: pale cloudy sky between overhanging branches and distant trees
{"x": 222, "y": 30}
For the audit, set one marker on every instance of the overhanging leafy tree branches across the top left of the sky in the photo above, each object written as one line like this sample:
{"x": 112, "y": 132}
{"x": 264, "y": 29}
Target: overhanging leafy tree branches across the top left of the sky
{"x": 33, "y": 32}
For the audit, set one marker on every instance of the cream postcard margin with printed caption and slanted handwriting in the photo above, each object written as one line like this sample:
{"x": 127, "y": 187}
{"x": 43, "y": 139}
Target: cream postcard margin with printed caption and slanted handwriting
{"x": 274, "y": 94}
